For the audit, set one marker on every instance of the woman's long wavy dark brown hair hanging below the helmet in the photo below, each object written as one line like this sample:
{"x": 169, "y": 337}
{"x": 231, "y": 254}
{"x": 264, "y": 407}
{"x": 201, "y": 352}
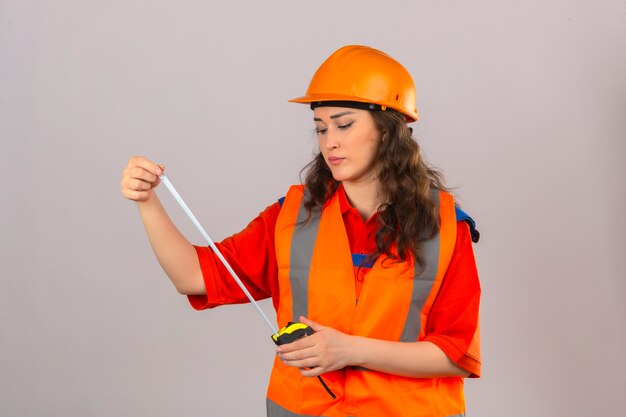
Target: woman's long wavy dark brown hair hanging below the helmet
{"x": 408, "y": 214}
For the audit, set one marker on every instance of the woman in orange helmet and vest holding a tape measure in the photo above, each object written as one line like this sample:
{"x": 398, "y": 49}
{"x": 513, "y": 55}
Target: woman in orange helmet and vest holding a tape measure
{"x": 371, "y": 253}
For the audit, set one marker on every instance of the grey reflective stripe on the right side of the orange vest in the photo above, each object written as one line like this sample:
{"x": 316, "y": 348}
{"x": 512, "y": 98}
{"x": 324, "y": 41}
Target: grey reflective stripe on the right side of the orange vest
{"x": 423, "y": 284}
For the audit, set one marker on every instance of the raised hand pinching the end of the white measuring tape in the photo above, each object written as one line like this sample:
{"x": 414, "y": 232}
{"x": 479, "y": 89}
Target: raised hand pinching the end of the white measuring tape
{"x": 139, "y": 178}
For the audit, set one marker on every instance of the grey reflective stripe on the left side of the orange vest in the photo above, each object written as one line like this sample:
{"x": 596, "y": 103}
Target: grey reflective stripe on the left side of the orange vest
{"x": 300, "y": 257}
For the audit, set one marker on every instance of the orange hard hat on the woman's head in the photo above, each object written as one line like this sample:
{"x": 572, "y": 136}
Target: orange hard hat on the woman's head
{"x": 360, "y": 74}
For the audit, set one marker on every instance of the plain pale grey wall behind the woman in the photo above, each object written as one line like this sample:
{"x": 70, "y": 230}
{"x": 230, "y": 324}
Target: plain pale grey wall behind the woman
{"x": 523, "y": 107}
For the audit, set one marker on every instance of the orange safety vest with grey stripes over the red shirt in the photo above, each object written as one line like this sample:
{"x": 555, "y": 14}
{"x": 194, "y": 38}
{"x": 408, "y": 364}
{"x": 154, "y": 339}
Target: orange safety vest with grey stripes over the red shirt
{"x": 316, "y": 280}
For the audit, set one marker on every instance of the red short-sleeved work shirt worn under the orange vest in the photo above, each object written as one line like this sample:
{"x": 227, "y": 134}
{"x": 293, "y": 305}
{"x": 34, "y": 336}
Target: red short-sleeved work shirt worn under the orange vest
{"x": 251, "y": 253}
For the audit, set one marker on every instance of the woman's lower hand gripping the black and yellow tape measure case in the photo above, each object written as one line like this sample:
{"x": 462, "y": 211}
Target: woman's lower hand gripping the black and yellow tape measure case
{"x": 324, "y": 351}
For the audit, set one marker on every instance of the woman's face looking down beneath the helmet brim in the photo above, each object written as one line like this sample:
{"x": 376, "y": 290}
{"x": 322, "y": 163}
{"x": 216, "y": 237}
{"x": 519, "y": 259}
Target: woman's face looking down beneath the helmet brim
{"x": 348, "y": 139}
